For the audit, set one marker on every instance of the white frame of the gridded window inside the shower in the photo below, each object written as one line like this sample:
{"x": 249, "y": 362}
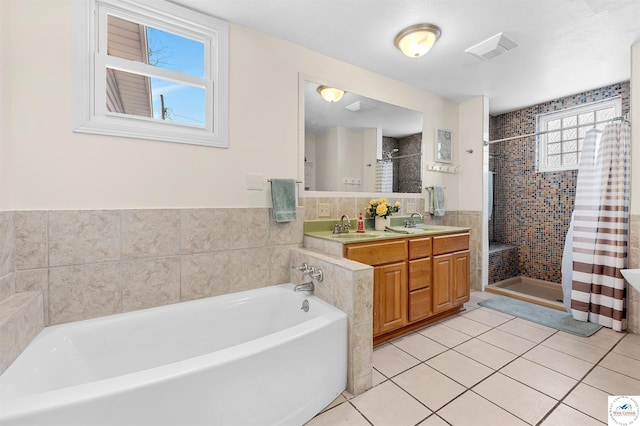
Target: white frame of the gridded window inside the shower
{"x": 544, "y": 119}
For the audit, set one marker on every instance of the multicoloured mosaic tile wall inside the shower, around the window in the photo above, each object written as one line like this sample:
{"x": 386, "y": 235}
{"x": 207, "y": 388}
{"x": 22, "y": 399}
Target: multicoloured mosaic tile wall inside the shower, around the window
{"x": 533, "y": 210}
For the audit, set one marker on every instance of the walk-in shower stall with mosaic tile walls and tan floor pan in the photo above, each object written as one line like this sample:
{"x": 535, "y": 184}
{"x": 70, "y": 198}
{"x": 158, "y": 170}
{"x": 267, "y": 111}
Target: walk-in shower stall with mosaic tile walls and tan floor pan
{"x": 530, "y": 211}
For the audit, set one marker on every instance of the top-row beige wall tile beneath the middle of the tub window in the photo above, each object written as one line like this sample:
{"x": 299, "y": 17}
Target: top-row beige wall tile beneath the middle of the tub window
{"x": 150, "y": 233}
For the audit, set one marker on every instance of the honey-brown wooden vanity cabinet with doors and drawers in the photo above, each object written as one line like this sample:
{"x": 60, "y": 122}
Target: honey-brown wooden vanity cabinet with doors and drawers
{"x": 417, "y": 280}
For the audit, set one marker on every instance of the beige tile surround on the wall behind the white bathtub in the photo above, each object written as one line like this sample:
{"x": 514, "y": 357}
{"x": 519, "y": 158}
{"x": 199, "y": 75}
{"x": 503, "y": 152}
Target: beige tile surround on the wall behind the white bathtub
{"x": 91, "y": 263}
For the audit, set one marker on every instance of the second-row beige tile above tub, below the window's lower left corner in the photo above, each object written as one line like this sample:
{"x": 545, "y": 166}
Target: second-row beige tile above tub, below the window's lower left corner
{"x": 84, "y": 291}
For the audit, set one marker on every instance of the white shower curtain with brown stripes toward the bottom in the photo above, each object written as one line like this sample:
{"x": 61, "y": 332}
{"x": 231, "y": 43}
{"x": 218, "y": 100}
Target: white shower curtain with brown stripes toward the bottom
{"x": 600, "y": 231}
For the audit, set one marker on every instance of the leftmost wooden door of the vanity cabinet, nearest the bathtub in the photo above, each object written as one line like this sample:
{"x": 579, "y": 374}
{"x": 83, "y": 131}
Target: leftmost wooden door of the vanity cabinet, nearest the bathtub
{"x": 390, "y": 297}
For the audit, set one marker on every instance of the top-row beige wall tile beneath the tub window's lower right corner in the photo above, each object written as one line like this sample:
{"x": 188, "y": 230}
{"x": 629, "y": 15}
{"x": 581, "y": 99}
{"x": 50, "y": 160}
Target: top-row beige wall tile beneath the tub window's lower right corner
{"x": 204, "y": 230}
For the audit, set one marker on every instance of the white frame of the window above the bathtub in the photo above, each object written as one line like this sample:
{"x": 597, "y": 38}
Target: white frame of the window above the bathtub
{"x": 90, "y": 62}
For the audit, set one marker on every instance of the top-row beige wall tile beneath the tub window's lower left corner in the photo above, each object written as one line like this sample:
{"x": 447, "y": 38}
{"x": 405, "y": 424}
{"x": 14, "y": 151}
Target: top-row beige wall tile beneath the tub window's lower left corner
{"x": 79, "y": 237}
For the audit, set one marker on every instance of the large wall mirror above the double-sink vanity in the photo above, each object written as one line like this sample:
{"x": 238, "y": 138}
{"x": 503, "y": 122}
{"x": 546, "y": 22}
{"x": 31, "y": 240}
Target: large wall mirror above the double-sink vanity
{"x": 359, "y": 144}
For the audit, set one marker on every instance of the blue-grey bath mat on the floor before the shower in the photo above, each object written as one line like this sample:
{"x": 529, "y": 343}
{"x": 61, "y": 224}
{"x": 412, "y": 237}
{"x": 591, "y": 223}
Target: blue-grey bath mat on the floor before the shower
{"x": 553, "y": 318}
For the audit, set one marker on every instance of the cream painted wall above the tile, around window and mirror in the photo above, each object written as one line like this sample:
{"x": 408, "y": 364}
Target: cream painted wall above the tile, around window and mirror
{"x": 46, "y": 166}
